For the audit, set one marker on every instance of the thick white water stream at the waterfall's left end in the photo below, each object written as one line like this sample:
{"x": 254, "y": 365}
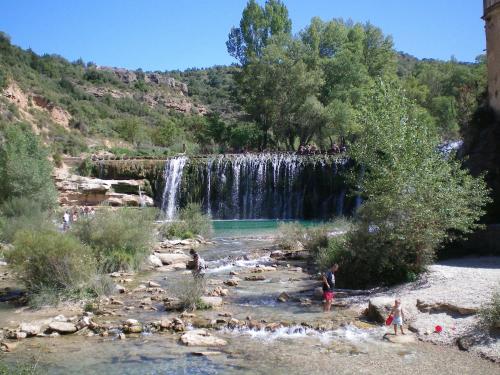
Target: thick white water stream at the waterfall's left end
{"x": 173, "y": 177}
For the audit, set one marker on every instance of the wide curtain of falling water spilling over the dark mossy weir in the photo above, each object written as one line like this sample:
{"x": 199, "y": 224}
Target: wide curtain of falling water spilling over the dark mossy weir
{"x": 258, "y": 186}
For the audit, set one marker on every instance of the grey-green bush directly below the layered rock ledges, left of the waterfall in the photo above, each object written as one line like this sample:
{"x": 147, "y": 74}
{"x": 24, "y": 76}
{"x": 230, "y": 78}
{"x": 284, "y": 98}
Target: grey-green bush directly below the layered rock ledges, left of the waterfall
{"x": 121, "y": 239}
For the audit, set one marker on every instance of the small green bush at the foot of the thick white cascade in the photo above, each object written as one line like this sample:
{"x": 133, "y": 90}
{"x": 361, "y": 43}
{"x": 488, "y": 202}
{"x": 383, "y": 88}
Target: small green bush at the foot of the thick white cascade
{"x": 192, "y": 222}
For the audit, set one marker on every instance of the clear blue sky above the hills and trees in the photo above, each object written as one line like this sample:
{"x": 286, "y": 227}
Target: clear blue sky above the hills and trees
{"x": 166, "y": 34}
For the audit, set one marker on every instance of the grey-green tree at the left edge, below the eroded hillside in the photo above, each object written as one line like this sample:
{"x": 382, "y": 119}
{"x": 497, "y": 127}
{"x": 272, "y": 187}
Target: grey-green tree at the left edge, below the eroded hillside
{"x": 24, "y": 167}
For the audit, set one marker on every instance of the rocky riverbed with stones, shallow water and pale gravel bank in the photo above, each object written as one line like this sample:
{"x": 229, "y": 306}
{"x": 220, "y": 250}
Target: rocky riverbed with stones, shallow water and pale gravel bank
{"x": 265, "y": 309}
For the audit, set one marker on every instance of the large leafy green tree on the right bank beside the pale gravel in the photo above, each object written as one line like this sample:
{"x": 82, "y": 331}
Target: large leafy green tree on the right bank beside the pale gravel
{"x": 415, "y": 197}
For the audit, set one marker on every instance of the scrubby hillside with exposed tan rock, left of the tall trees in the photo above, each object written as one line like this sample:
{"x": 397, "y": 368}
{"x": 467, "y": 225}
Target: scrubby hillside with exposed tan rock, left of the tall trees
{"x": 78, "y": 107}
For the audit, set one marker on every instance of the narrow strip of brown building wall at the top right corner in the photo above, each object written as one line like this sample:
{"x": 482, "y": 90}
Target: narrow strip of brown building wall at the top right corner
{"x": 492, "y": 25}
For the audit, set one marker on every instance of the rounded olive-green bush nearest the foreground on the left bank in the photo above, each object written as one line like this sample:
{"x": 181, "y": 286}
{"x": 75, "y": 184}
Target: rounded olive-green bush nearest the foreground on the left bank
{"x": 49, "y": 262}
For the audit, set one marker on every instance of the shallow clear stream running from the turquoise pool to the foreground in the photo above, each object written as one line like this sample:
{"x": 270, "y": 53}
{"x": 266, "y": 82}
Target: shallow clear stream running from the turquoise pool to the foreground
{"x": 351, "y": 347}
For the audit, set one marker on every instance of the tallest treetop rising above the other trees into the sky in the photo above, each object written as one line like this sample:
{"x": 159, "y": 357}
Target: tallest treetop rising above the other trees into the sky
{"x": 258, "y": 24}
